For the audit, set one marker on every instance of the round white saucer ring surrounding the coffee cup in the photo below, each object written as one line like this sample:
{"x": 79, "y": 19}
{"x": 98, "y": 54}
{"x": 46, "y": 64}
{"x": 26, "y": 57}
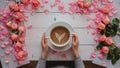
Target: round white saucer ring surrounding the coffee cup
{"x": 48, "y": 36}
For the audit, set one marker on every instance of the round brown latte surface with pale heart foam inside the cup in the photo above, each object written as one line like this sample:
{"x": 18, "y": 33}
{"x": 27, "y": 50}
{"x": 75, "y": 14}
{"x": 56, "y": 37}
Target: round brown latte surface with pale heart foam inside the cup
{"x": 60, "y": 35}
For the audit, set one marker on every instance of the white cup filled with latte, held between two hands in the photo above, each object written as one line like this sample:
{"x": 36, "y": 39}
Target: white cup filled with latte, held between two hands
{"x": 60, "y": 36}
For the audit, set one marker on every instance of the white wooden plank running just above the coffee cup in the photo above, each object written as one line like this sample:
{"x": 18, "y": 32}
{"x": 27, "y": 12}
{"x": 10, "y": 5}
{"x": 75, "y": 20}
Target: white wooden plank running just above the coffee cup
{"x": 41, "y": 20}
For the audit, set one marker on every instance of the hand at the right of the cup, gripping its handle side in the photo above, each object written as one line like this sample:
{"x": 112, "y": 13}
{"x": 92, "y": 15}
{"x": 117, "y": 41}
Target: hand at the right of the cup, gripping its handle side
{"x": 75, "y": 44}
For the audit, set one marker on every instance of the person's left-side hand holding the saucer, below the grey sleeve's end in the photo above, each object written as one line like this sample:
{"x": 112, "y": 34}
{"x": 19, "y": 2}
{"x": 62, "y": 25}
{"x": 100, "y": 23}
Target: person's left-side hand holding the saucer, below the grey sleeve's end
{"x": 44, "y": 45}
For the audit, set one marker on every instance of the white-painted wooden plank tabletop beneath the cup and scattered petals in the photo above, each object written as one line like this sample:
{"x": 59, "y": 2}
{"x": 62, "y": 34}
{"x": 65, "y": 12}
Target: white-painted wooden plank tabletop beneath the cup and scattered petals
{"x": 41, "y": 21}
